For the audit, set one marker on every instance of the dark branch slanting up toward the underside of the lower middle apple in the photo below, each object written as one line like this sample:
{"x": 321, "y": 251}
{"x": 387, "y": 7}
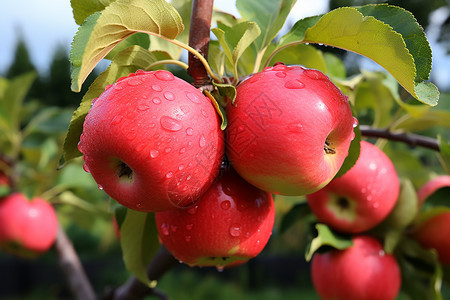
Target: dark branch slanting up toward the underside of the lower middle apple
{"x": 134, "y": 289}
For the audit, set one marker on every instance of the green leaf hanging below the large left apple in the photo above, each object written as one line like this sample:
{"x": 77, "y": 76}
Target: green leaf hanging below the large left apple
{"x": 139, "y": 242}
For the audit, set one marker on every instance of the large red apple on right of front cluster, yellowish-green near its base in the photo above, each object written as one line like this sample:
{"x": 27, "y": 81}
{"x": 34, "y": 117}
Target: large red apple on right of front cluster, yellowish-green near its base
{"x": 289, "y": 130}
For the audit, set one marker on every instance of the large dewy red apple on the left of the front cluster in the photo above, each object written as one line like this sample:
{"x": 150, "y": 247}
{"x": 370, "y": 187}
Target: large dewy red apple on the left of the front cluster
{"x": 152, "y": 142}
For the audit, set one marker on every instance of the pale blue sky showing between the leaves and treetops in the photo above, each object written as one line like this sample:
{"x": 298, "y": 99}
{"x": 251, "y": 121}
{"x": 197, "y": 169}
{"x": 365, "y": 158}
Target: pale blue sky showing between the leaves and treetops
{"x": 48, "y": 23}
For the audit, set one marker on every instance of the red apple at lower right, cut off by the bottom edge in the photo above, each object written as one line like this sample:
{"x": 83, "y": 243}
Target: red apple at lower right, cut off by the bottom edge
{"x": 362, "y": 272}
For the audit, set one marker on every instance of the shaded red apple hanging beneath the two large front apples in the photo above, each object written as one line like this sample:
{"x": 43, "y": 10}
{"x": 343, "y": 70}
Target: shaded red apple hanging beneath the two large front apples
{"x": 230, "y": 224}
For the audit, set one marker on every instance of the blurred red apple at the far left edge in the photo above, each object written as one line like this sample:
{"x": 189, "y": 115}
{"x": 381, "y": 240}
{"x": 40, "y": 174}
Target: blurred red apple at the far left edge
{"x": 27, "y": 228}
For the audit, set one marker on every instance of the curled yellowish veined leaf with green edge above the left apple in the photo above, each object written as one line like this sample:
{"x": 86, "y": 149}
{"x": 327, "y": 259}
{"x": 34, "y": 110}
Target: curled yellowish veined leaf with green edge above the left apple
{"x": 102, "y": 31}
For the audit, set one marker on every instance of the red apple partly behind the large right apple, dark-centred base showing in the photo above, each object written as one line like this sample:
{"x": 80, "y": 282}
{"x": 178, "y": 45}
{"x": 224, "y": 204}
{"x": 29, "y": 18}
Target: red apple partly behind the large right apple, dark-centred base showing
{"x": 362, "y": 197}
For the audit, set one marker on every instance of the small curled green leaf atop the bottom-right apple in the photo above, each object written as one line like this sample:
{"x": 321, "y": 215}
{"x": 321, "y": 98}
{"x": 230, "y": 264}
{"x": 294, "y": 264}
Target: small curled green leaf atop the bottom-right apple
{"x": 327, "y": 237}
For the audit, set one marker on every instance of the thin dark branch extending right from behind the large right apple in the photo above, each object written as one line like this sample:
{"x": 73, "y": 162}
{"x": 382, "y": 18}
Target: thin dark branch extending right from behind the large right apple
{"x": 413, "y": 140}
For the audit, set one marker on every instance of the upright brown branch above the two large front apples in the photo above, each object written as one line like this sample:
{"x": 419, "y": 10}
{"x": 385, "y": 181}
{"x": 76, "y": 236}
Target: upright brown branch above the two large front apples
{"x": 199, "y": 39}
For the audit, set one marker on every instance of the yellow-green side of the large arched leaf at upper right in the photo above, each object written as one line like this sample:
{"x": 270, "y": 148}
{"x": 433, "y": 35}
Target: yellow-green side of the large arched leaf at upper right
{"x": 349, "y": 29}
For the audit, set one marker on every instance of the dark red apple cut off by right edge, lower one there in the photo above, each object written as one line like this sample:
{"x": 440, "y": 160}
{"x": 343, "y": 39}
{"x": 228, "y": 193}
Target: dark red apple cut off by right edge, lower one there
{"x": 433, "y": 233}
